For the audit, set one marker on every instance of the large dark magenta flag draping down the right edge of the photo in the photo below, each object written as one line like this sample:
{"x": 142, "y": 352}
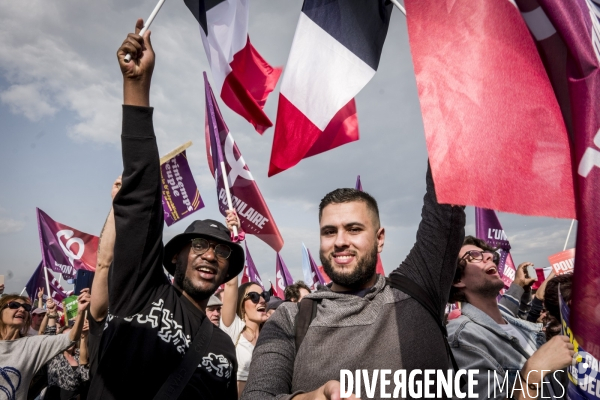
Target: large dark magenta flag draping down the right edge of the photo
{"x": 568, "y": 38}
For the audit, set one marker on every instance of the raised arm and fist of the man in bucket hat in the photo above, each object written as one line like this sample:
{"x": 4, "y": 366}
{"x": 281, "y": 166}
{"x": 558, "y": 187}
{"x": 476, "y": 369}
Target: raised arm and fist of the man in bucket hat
{"x": 137, "y": 269}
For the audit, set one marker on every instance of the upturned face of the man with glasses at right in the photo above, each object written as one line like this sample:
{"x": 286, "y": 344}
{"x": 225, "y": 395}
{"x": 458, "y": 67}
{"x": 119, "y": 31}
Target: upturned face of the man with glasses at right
{"x": 479, "y": 278}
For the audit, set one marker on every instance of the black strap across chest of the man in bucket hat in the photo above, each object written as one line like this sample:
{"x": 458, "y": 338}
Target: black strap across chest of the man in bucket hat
{"x": 181, "y": 375}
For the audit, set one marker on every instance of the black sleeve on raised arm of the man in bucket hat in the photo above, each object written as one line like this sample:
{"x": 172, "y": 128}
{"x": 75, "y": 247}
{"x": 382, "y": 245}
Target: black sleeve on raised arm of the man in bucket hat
{"x": 137, "y": 269}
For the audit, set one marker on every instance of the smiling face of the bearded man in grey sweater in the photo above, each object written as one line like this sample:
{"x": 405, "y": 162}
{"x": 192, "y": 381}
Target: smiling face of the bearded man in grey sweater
{"x": 350, "y": 240}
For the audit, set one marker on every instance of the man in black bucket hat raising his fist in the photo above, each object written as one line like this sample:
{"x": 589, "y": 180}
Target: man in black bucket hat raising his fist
{"x": 153, "y": 327}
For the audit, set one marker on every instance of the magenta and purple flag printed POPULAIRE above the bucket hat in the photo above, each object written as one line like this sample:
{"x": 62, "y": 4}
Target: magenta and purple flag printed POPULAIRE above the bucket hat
{"x": 255, "y": 217}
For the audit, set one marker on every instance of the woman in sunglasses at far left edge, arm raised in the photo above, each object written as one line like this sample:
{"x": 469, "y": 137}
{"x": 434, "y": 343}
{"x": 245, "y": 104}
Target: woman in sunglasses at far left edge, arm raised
{"x": 22, "y": 356}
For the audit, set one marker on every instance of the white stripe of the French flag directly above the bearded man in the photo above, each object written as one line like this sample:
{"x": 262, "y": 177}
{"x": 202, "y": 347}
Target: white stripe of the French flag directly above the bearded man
{"x": 321, "y": 75}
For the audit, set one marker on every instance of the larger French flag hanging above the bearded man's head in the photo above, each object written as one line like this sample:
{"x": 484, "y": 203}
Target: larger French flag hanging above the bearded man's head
{"x": 335, "y": 53}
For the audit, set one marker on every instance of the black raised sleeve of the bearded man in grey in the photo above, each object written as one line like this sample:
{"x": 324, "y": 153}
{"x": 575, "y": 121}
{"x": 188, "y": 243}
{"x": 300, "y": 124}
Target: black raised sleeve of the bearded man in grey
{"x": 432, "y": 261}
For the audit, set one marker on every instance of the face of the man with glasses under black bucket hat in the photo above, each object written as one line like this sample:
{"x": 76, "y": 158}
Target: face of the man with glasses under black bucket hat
{"x": 199, "y": 275}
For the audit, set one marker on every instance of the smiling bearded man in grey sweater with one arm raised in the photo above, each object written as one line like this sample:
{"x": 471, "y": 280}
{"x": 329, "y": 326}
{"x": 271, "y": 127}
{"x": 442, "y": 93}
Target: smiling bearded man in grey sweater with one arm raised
{"x": 361, "y": 323}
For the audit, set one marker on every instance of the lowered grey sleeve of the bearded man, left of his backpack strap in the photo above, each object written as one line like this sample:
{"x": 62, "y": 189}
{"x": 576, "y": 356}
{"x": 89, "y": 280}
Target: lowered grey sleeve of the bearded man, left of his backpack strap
{"x": 272, "y": 366}
